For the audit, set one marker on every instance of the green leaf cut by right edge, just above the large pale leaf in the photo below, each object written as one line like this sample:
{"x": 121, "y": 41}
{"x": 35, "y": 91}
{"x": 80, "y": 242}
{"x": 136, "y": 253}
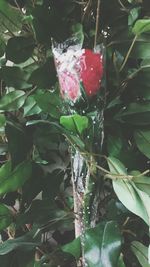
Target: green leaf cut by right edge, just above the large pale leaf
{"x": 142, "y": 139}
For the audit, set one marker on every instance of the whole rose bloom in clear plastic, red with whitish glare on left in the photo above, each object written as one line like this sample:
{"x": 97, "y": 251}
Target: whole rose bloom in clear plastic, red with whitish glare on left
{"x": 78, "y": 66}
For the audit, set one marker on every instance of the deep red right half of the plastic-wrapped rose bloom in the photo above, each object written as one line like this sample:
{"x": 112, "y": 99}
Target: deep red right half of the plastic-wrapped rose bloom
{"x": 91, "y": 71}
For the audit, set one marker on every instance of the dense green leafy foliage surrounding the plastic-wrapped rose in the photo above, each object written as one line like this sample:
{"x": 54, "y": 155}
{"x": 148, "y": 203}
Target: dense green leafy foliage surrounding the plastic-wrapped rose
{"x": 36, "y": 135}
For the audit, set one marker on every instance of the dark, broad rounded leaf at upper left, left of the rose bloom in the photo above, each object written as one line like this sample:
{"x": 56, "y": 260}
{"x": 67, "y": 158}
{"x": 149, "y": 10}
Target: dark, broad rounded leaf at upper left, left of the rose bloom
{"x": 19, "y": 49}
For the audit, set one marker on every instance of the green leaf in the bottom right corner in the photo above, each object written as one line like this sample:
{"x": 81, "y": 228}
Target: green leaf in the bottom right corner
{"x": 141, "y": 252}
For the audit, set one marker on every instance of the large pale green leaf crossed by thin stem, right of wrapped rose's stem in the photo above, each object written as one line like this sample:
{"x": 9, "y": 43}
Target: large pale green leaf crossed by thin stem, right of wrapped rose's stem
{"x": 132, "y": 198}
